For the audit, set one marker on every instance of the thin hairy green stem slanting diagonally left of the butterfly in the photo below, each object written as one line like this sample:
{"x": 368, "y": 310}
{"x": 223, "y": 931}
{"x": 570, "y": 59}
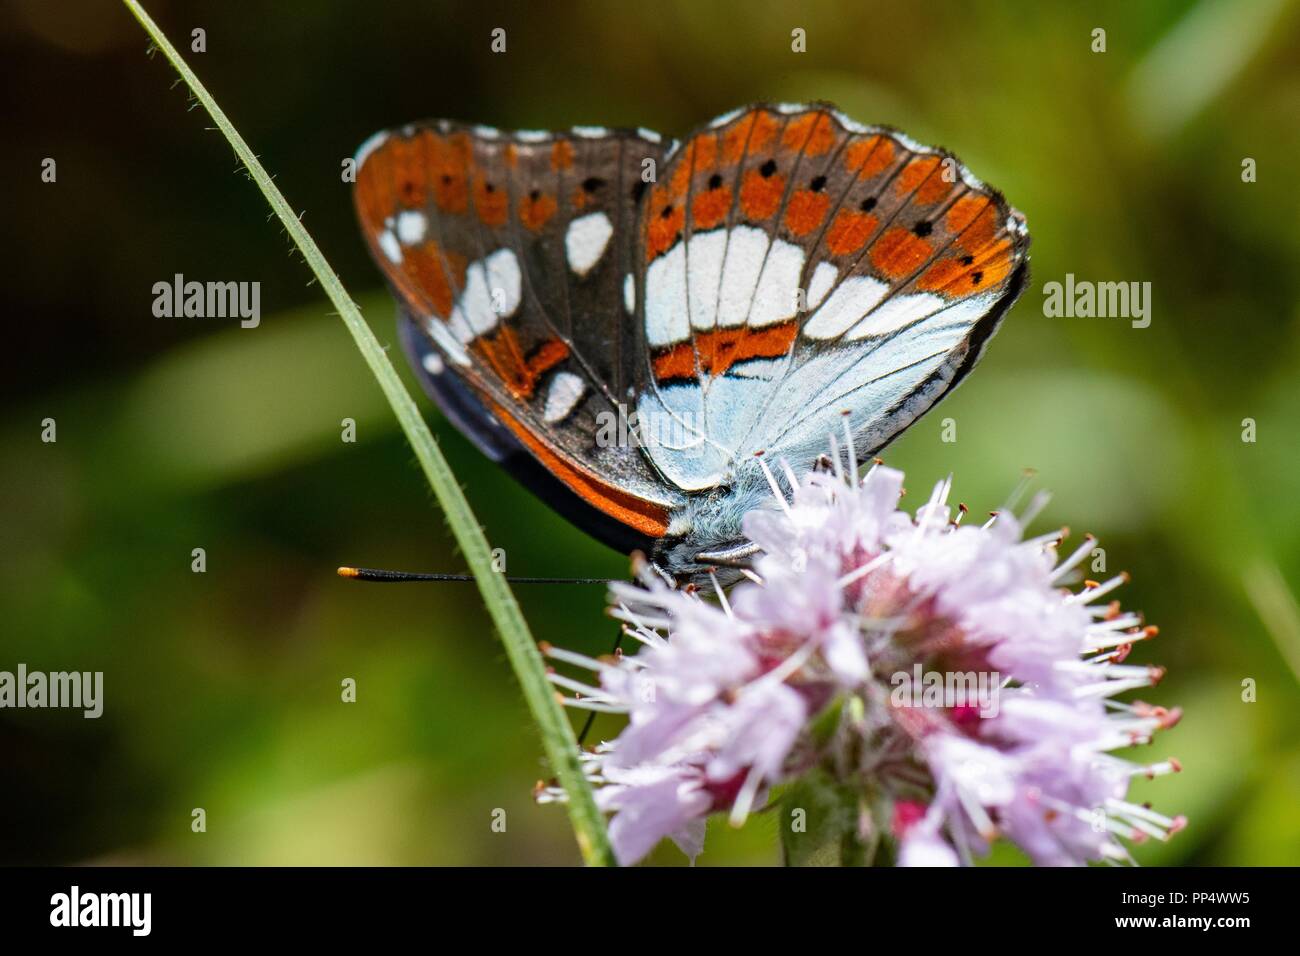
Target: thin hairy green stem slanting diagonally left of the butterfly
{"x": 557, "y": 733}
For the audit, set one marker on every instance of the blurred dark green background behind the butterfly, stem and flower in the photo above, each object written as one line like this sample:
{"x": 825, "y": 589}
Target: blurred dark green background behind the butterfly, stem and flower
{"x": 223, "y": 689}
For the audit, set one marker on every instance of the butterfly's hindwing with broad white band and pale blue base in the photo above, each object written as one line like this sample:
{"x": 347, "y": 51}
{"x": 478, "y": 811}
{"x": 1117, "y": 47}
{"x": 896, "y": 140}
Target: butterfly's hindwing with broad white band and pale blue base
{"x": 799, "y": 267}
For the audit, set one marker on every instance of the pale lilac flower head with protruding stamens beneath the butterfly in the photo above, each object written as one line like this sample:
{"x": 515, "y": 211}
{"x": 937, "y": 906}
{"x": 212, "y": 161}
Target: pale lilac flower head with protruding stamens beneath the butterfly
{"x": 943, "y": 669}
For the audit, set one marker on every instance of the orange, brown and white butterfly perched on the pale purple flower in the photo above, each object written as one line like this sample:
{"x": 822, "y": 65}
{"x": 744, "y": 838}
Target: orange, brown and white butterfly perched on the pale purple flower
{"x": 634, "y": 326}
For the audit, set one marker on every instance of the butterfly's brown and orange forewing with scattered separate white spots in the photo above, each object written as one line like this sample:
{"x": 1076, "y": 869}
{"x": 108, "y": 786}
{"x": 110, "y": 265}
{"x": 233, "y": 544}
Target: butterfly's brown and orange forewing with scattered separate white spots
{"x": 512, "y": 254}
